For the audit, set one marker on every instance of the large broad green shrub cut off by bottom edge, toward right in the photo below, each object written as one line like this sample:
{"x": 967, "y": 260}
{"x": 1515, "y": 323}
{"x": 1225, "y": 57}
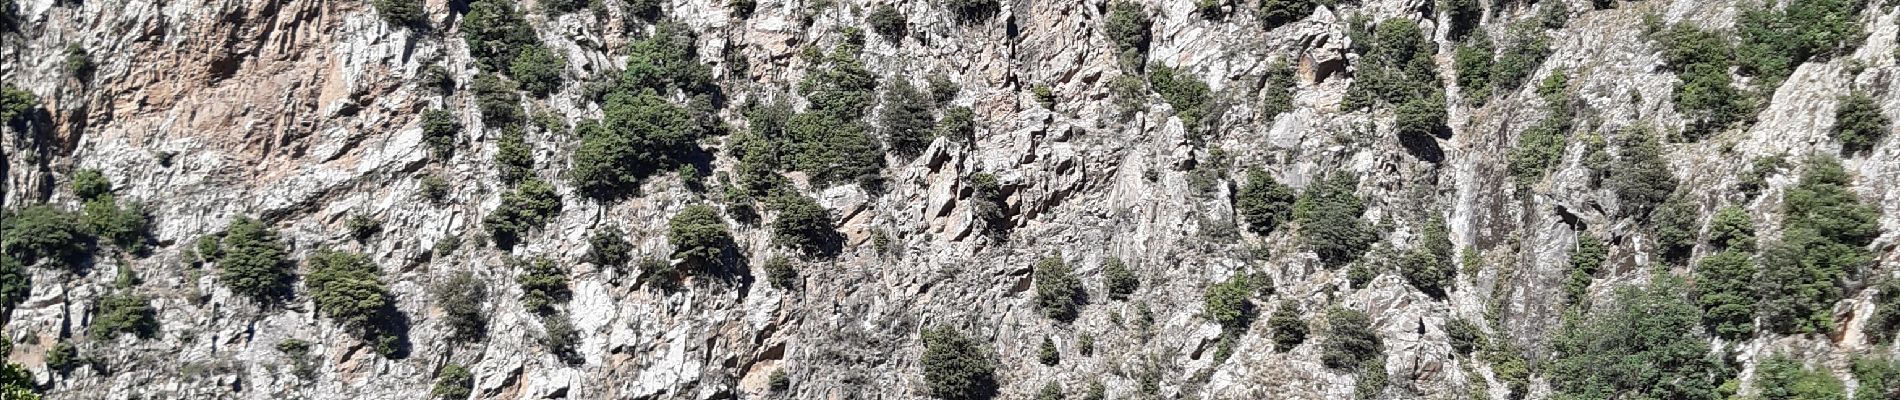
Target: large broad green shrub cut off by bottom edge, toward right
{"x": 1639, "y": 346}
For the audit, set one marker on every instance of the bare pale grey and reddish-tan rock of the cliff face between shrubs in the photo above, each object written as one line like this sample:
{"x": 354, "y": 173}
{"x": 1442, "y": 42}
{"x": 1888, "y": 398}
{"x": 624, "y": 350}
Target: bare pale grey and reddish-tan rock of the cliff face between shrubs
{"x": 307, "y": 113}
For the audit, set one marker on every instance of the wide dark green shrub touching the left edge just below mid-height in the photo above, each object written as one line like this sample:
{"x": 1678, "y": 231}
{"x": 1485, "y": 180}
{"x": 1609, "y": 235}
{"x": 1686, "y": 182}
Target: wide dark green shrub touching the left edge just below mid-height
{"x": 45, "y": 234}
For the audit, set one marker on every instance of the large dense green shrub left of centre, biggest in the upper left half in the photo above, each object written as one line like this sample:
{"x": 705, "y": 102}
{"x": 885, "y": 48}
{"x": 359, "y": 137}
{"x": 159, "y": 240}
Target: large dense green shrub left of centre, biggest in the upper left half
{"x": 637, "y": 137}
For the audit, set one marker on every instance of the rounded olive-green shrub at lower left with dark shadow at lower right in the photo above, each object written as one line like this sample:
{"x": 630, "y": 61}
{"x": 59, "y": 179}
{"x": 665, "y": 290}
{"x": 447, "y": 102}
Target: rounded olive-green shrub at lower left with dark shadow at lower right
{"x": 349, "y": 287}
